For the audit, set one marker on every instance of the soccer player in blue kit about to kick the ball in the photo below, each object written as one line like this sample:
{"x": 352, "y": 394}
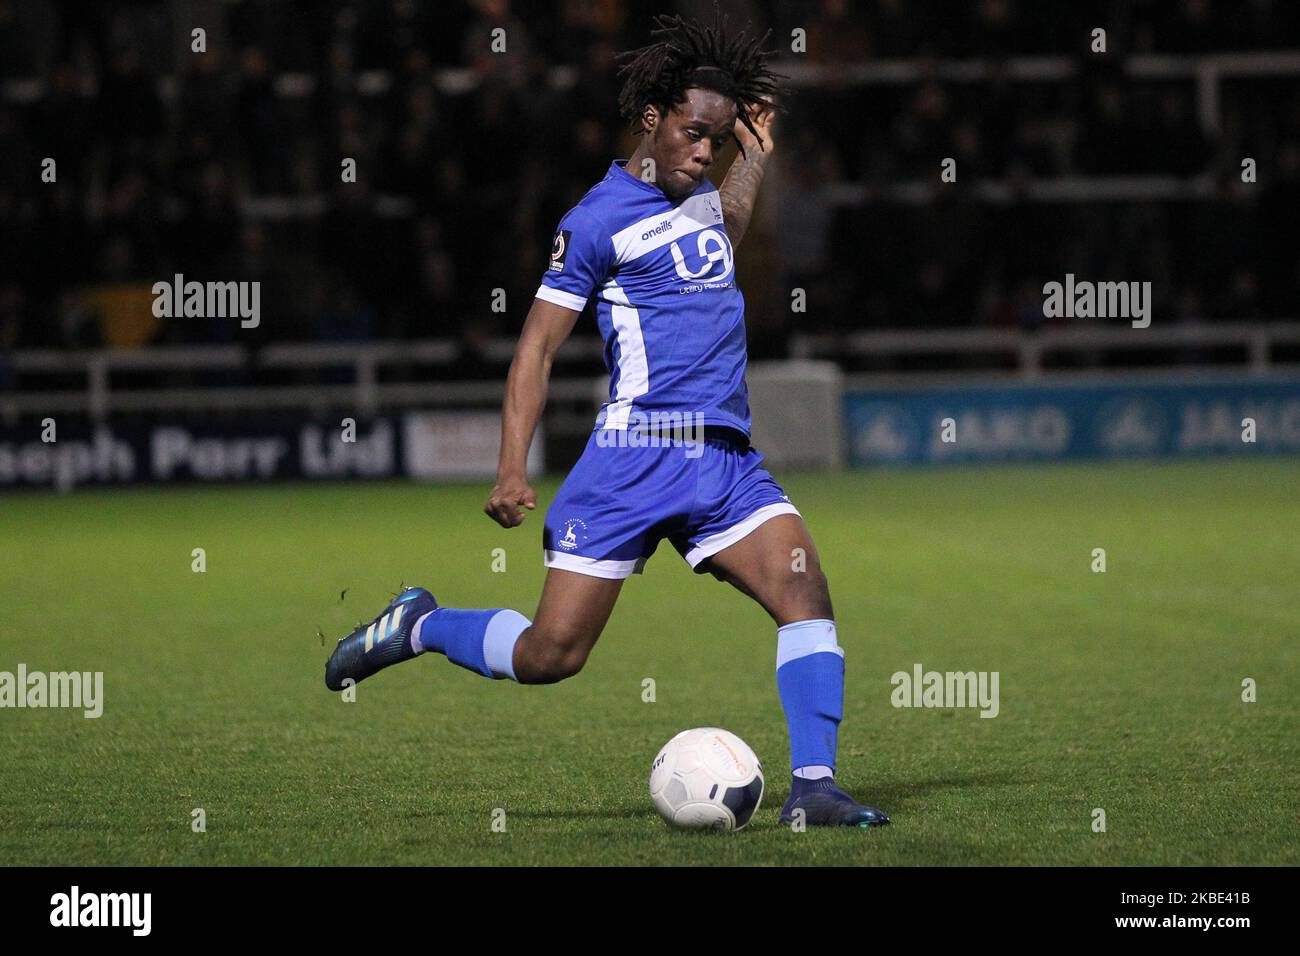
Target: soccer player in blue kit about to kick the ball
{"x": 653, "y": 244}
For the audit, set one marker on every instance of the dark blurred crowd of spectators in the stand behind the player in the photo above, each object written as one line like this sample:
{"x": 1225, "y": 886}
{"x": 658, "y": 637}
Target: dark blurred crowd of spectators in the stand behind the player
{"x": 226, "y": 165}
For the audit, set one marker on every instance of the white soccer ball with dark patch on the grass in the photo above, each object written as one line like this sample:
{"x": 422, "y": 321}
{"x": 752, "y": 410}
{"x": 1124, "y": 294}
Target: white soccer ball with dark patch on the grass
{"x": 707, "y": 778}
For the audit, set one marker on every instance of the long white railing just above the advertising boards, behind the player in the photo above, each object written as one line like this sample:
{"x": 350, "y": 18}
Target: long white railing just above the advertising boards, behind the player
{"x": 1020, "y": 356}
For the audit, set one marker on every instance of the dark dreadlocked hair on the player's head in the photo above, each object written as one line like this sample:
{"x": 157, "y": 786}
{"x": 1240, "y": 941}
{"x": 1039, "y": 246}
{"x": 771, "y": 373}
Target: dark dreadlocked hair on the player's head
{"x": 684, "y": 55}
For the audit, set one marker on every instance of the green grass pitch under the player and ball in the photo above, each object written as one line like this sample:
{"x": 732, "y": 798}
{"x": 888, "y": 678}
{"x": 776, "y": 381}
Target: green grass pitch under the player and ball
{"x": 1120, "y": 691}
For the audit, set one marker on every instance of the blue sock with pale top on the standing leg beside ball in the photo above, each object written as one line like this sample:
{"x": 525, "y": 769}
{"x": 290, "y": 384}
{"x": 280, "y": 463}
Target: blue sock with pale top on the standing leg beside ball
{"x": 811, "y": 678}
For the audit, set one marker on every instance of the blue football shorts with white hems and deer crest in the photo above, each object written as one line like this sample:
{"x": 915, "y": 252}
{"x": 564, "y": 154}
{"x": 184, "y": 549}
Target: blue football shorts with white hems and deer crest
{"x": 622, "y": 500}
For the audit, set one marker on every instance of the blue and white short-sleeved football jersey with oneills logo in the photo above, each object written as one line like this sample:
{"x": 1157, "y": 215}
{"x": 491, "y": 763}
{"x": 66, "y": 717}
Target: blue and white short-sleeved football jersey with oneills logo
{"x": 664, "y": 278}
